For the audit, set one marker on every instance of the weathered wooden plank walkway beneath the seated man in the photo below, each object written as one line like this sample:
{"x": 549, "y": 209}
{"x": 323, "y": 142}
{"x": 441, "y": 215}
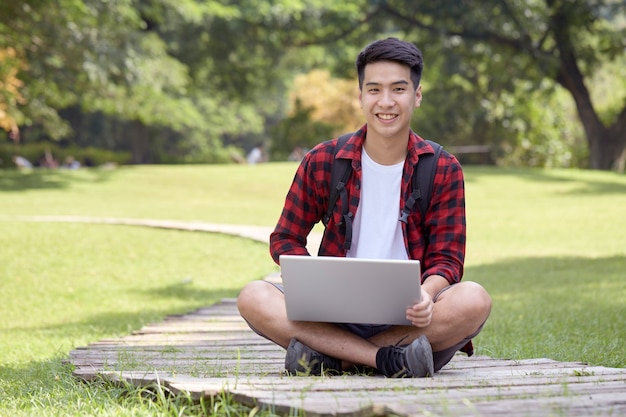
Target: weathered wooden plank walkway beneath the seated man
{"x": 211, "y": 351}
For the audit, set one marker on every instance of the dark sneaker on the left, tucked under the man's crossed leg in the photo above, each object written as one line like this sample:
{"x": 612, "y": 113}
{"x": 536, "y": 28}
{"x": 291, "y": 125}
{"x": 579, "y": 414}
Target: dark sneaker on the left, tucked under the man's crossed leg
{"x": 301, "y": 359}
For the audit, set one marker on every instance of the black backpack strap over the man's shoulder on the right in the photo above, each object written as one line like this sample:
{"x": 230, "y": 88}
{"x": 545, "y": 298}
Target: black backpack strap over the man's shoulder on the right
{"x": 423, "y": 179}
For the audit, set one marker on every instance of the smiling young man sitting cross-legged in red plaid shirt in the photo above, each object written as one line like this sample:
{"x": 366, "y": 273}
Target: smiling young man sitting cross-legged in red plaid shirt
{"x": 383, "y": 153}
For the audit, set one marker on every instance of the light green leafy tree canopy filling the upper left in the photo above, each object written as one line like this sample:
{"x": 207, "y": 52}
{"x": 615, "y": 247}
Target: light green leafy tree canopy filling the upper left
{"x": 203, "y": 71}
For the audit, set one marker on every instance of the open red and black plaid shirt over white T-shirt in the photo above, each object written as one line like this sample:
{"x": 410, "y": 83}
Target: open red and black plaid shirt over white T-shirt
{"x": 306, "y": 202}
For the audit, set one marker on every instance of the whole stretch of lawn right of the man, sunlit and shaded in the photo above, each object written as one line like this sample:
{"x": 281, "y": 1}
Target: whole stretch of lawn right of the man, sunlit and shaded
{"x": 550, "y": 246}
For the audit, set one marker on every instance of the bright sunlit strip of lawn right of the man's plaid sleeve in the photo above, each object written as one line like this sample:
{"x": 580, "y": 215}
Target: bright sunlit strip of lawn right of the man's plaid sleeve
{"x": 520, "y": 213}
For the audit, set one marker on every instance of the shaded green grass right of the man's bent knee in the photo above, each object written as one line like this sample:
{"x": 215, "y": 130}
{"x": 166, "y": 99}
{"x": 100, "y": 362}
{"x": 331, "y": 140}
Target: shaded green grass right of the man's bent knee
{"x": 558, "y": 312}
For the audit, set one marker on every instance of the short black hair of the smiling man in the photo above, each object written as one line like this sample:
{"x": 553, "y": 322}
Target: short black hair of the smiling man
{"x": 395, "y": 50}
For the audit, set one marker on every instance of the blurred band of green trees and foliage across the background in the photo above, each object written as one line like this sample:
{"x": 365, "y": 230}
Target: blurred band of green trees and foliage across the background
{"x": 202, "y": 76}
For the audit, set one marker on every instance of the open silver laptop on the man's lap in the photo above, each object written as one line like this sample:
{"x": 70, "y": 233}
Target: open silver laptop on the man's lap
{"x": 349, "y": 290}
